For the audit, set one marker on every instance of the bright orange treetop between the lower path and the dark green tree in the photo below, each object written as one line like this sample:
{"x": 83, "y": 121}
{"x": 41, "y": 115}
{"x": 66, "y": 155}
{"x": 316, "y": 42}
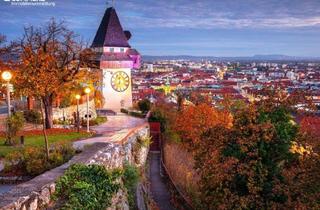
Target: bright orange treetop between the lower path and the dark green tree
{"x": 193, "y": 121}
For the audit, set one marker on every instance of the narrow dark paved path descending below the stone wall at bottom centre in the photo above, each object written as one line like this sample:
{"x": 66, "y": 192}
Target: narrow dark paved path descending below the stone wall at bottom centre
{"x": 159, "y": 189}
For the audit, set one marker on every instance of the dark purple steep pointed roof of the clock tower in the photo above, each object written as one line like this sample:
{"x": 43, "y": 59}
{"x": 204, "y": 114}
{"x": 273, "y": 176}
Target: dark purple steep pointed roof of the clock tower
{"x": 110, "y": 32}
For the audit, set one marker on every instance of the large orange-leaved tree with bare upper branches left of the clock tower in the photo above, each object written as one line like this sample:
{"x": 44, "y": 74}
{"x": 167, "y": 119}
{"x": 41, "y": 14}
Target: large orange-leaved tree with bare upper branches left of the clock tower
{"x": 51, "y": 61}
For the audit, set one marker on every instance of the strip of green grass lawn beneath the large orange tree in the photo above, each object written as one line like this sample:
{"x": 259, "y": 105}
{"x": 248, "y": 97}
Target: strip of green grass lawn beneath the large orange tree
{"x": 38, "y": 140}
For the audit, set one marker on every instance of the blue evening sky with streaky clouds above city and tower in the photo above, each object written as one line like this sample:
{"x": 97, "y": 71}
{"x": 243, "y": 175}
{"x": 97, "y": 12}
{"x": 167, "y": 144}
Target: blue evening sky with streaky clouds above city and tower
{"x": 185, "y": 27}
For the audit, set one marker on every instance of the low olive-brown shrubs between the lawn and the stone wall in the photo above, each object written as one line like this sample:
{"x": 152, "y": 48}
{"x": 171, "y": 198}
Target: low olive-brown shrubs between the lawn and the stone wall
{"x": 32, "y": 161}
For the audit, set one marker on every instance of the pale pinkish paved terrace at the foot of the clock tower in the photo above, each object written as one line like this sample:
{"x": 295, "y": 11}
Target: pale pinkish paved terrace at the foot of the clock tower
{"x": 114, "y": 130}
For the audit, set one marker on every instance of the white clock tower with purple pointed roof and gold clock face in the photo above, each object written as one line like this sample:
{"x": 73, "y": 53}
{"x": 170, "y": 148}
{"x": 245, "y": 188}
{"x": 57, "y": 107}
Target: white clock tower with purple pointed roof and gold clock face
{"x": 116, "y": 59}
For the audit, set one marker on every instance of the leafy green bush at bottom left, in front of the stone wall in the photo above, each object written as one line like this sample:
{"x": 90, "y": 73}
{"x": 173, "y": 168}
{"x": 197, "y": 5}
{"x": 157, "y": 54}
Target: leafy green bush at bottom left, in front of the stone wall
{"x": 87, "y": 187}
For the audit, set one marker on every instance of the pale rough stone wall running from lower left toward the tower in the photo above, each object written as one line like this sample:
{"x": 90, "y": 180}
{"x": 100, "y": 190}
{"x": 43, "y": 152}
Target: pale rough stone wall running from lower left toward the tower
{"x": 36, "y": 193}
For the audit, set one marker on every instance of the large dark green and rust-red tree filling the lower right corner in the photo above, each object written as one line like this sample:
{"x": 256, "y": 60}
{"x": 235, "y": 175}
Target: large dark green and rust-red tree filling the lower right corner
{"x": 251, "y": 165}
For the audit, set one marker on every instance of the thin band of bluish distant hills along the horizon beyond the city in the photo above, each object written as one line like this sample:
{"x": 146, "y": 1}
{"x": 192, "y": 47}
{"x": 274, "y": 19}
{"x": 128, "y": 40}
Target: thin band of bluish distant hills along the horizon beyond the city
{"x": 248, "y": 58}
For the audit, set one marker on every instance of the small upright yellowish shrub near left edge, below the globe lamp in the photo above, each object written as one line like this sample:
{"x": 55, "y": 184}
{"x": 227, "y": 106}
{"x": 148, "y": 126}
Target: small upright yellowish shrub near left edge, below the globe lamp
{"x": 15, "y": 123}
